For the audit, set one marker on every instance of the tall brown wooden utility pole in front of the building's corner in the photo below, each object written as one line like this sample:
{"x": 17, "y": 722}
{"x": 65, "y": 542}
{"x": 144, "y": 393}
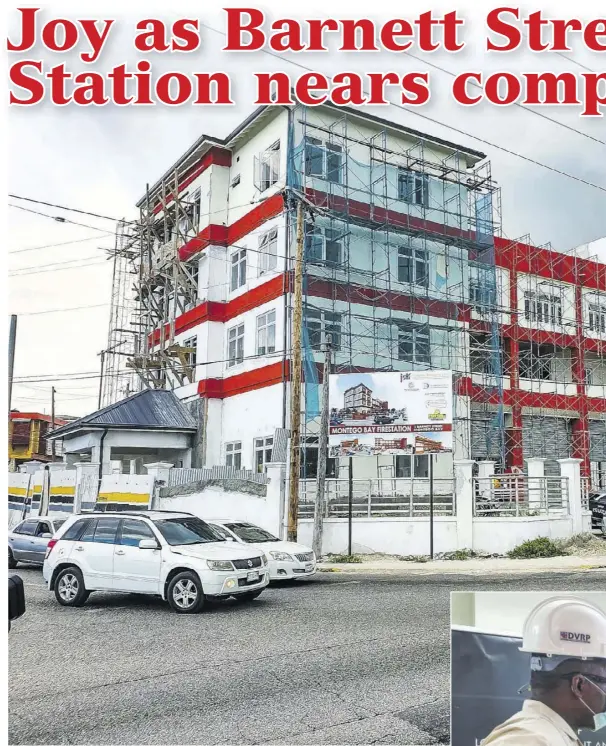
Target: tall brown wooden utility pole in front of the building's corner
{"x": 295, "y": 383}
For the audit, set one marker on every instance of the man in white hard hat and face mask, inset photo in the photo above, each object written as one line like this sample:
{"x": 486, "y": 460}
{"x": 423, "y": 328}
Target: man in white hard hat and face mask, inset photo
{"x": 566, "y": 640}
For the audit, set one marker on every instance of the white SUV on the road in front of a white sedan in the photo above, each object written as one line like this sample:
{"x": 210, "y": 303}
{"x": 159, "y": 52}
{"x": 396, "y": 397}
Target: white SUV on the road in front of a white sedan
{"x": 173, "y": 555}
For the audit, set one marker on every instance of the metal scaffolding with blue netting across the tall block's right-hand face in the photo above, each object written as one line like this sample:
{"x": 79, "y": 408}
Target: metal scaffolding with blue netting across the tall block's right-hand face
{"x": 393, "y": 236}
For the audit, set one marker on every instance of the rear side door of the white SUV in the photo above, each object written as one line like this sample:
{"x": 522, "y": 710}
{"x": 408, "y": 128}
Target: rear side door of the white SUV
{"x": 94, "y": 553}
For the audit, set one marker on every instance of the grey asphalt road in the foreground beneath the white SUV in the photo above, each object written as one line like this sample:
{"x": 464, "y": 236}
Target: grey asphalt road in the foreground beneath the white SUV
{"x": 340, "y": 660}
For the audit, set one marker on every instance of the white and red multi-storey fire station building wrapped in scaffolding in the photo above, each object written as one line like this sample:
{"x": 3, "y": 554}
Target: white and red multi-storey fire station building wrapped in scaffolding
{"x": 404, "y": 268}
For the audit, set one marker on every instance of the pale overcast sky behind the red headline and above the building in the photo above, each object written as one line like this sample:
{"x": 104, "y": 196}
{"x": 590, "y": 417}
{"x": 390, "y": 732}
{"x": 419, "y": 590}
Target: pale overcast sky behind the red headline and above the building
{"x": 99, "y": 160}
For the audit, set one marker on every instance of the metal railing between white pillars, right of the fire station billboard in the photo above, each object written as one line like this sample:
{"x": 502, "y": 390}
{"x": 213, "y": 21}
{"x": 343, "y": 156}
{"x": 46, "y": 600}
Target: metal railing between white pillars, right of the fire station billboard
{"x": 520, "y": 496}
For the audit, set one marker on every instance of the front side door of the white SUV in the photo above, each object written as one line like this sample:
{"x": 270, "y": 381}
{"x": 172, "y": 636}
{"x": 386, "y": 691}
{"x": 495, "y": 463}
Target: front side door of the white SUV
{"x": 136, "y": 570}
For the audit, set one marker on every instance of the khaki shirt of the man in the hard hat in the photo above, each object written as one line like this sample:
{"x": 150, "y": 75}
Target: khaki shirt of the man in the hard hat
{"x": 535, "y": 725}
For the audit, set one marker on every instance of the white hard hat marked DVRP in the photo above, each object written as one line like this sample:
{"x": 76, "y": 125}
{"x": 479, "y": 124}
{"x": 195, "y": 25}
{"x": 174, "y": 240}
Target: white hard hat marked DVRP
{"x": 561, "y": 628}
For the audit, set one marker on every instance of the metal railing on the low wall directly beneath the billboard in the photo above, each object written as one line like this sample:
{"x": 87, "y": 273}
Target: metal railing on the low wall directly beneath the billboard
{"x": 379, "y": 498}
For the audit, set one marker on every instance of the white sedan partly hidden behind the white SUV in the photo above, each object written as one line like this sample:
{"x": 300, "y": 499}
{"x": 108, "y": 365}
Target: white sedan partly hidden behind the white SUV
{"x": 287, "y": 560}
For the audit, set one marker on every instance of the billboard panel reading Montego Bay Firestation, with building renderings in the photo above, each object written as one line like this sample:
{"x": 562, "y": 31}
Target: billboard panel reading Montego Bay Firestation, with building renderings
{"x": 390, "y": 413}
